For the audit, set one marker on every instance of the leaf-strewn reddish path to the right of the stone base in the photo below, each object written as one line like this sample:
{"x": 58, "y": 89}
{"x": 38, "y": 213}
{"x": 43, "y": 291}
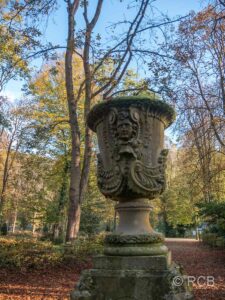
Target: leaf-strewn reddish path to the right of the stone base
{"x": 201, "y": 263}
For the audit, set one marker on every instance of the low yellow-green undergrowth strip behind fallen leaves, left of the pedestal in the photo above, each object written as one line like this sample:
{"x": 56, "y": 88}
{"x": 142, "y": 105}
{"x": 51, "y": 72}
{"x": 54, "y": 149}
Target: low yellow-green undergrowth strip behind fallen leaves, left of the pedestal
{"x": 29, "y": 253}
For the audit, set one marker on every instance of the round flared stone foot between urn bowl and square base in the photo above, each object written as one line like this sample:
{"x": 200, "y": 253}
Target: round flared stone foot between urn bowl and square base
{"x": 134, "y": 235}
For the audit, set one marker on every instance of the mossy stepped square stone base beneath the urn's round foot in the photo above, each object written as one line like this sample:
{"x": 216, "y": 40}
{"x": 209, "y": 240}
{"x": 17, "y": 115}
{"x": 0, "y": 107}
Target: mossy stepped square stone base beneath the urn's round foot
{"x": 132, "y": 278}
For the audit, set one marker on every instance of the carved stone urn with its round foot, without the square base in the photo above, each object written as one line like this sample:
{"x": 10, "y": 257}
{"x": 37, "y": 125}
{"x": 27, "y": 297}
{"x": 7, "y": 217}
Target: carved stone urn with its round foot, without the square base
{"x": 131, "y": 166}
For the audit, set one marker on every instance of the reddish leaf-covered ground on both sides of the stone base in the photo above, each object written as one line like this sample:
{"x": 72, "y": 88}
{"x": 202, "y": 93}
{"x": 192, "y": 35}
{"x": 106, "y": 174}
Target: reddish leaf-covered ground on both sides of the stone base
{"x": 56, "y": 283}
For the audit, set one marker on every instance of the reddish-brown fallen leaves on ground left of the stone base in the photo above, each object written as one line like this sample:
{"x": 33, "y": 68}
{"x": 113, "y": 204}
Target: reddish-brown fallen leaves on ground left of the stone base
{"x": 52, "y": 283}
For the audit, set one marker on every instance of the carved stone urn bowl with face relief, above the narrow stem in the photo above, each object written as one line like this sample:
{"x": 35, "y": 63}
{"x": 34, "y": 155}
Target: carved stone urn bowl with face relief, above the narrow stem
{"x": 131, "y": 162}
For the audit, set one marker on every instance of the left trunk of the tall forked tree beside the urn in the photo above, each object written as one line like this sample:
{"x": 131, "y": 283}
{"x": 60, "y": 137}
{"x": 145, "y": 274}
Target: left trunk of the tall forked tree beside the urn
{"x": 75, "y": 175}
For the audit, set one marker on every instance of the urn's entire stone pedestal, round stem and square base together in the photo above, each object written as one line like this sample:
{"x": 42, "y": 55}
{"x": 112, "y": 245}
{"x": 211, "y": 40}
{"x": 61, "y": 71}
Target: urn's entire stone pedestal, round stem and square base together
{"x": 136, "y": 265}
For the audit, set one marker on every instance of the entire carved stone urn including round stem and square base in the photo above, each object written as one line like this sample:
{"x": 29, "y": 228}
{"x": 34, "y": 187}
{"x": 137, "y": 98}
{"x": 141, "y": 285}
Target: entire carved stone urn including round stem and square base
{"x": 136, "y": 265}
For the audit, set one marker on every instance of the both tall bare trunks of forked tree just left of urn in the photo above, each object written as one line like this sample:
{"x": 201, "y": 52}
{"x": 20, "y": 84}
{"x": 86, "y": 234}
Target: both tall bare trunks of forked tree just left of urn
{"x": 79, "y": 178}
